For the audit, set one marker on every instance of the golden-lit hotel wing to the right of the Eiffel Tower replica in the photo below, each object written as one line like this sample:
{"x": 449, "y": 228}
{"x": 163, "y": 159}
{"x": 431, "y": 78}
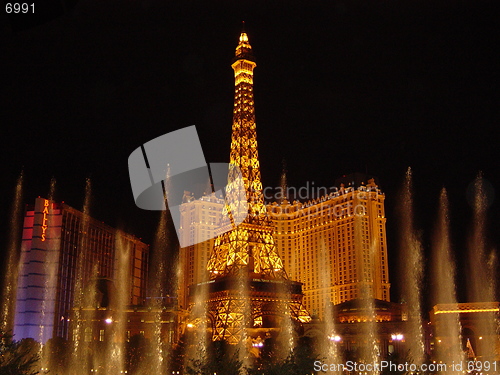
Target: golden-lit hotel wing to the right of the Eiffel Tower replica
{"x": 336, "y": 244}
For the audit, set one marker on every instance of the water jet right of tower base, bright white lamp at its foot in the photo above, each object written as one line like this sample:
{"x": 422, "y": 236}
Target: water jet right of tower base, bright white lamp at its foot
{"x": 328, "y": 350}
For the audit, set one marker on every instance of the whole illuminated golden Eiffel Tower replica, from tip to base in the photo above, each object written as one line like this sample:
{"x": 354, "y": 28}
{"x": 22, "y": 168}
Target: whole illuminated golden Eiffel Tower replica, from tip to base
{"x": 249, "y": 293}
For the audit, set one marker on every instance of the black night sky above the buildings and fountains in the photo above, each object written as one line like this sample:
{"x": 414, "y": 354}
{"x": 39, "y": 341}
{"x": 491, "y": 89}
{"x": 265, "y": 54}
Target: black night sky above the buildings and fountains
{"x": 340, "y": 87}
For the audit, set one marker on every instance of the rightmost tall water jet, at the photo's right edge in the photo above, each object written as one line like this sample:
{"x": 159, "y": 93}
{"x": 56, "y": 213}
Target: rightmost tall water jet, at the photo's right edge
{"x": 480, "y": 280}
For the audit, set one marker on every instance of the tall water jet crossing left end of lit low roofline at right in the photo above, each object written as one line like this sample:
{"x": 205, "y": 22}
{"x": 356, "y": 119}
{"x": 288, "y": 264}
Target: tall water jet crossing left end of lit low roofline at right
{"x": 448, "y": 345}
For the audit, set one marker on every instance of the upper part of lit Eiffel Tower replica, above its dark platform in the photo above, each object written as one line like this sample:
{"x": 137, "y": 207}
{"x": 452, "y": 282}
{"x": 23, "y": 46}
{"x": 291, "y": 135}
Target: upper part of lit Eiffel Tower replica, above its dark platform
{"x": 250, "y": 246}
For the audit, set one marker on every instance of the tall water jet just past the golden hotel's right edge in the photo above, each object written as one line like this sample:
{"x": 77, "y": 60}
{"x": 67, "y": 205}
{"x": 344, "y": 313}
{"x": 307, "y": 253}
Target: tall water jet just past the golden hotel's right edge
{"x": 412, "y": 269}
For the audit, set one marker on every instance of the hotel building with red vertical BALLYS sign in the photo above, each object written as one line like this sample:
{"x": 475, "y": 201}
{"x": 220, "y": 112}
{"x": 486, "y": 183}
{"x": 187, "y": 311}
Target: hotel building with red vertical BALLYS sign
{"x": 62, "y": 251}
